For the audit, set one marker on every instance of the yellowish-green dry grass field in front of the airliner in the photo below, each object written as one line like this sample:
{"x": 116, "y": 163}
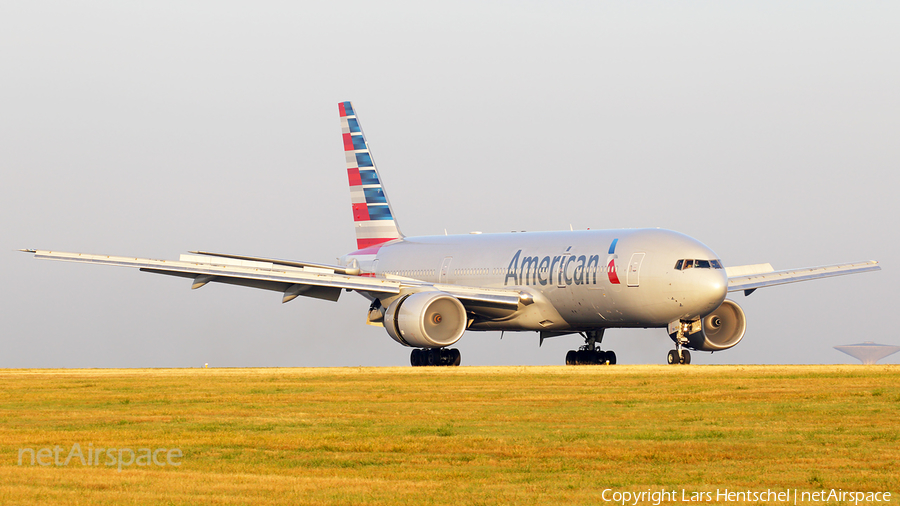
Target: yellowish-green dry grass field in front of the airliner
{"x": 468, "y": 435}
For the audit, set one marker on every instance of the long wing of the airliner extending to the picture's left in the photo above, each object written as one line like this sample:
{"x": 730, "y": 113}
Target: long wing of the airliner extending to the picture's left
{"x": 291, "y": 278}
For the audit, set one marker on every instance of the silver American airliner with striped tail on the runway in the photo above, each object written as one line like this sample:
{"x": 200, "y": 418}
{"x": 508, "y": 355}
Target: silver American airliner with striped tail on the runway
{"x": 427, "y": 291}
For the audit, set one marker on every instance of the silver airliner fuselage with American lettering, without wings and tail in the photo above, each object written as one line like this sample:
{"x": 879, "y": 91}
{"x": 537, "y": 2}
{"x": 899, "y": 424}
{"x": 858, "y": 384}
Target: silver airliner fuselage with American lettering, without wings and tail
{"x": 580, "y": 280}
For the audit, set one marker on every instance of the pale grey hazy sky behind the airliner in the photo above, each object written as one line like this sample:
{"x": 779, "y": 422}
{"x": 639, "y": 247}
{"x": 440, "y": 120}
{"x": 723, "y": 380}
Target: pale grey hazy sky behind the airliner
{"x": 766, "y": 130}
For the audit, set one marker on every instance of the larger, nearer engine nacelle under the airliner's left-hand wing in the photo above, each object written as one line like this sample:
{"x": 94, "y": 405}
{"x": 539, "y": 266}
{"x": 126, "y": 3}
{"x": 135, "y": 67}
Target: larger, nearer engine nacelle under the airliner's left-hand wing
{"x": 426, "y": 320}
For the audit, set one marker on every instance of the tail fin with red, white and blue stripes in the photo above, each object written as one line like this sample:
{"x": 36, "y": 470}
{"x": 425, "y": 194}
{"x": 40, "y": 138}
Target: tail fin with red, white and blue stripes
{"x": 372, "y": 216}
